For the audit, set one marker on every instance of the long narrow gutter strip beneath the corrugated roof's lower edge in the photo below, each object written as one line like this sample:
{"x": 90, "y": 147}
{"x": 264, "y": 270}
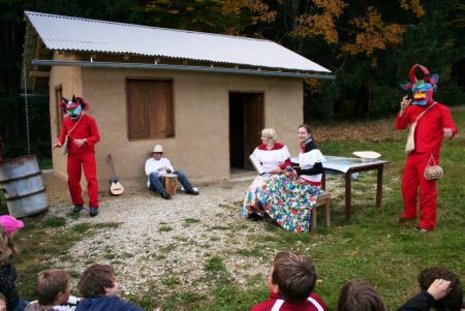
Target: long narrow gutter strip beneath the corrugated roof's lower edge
{"x": 211, "y": 69}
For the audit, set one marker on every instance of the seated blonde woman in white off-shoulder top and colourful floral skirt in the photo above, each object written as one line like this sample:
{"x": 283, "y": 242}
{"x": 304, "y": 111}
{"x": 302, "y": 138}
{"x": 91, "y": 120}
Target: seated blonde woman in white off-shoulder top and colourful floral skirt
{"x": 279, "y": 194}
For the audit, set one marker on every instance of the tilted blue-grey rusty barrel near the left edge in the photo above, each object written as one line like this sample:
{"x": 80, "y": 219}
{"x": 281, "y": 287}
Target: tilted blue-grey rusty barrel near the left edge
{"x": 21, "y": 182}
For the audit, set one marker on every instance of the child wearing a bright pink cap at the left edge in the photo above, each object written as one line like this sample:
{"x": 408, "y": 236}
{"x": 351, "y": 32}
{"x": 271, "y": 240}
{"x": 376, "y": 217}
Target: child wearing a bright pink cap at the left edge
{"x": 8, "y": 226}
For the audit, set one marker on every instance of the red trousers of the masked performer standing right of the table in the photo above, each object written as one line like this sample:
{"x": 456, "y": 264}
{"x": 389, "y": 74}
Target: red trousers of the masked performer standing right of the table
{"x": 412, "y": 178}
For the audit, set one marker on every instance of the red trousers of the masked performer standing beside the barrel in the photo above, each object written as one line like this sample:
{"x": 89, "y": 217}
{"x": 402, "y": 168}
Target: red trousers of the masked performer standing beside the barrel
{"x": 87, "y": 162}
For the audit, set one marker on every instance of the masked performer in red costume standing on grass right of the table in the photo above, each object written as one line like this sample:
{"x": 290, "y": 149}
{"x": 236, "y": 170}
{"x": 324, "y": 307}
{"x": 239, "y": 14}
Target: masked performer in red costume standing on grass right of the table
{"x": 435, "y": 124}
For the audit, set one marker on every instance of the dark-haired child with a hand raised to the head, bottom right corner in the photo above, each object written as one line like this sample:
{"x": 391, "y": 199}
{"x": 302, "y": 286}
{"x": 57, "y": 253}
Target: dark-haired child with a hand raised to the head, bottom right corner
{"x": 440, "y": 290}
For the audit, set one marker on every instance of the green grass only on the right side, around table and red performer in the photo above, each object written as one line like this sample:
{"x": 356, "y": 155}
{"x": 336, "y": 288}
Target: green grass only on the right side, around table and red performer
{"x": 371, "y": 246}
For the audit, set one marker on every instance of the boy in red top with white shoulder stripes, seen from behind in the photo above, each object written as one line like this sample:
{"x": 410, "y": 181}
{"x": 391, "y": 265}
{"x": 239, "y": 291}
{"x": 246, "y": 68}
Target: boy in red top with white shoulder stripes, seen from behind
{"x": 291, "y": 281}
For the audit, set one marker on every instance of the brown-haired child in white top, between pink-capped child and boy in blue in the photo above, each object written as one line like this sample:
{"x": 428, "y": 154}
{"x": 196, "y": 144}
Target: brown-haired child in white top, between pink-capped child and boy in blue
{"x": 53, "y": 292}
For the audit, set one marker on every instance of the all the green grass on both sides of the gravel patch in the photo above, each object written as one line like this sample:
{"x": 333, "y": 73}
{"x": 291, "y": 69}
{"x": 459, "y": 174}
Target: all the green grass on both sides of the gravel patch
{"x": 369, "y": 246}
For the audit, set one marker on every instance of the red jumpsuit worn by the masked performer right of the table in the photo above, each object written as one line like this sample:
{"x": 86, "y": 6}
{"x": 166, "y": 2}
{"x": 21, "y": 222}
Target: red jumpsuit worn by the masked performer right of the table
{"x": 428, "y": 138}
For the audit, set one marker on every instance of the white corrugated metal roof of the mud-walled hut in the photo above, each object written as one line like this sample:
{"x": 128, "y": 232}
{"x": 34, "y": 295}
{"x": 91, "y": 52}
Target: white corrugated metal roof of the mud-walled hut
{"x": 60, "y": 32}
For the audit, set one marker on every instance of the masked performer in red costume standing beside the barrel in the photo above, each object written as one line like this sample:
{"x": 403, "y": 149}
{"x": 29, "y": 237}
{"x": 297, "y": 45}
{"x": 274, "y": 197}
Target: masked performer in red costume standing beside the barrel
{"x": 83, "y": 135}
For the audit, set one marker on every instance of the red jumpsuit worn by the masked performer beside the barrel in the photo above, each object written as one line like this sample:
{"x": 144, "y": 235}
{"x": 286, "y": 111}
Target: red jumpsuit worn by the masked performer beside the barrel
{"x": 83, "y": 156}
